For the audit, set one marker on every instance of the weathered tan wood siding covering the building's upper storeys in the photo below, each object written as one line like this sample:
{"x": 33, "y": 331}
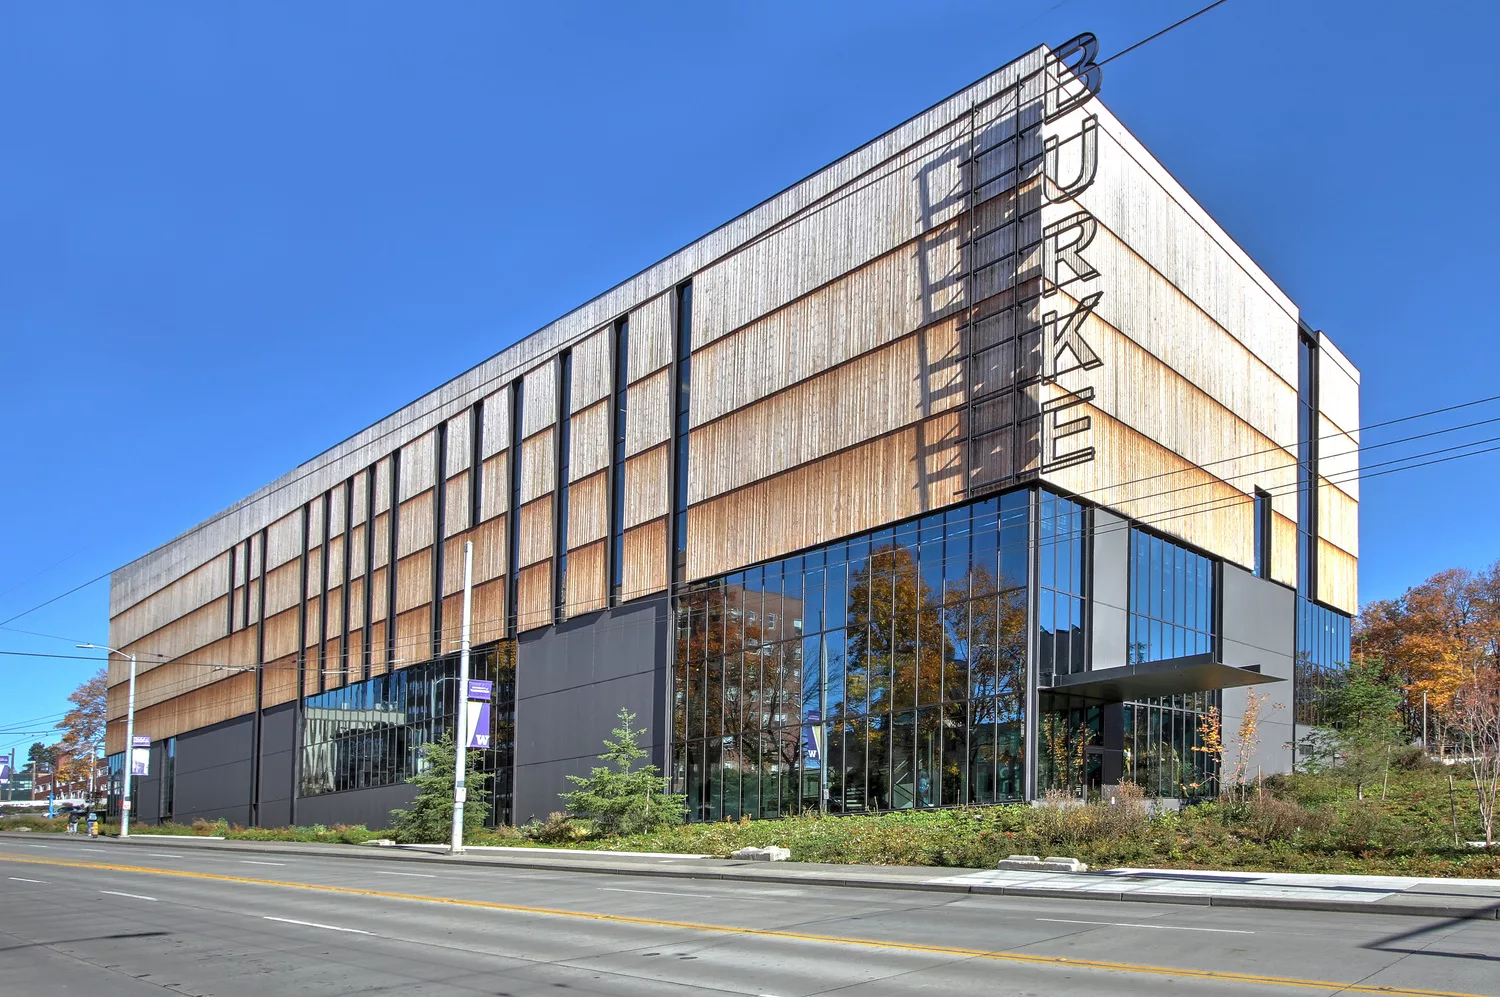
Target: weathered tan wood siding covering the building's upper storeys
{"x": 1003, "y": 290}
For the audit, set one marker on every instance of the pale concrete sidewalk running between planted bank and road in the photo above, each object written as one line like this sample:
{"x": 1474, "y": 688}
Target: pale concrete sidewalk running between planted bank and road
{"x": 1289, "y": 891}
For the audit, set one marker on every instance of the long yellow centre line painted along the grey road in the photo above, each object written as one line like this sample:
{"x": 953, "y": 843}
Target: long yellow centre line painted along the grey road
{"x": 770, "y": 933}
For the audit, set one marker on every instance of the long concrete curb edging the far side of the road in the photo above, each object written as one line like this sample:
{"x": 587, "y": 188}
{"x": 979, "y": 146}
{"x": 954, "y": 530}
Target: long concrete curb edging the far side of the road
{"x": 796, "y": 873}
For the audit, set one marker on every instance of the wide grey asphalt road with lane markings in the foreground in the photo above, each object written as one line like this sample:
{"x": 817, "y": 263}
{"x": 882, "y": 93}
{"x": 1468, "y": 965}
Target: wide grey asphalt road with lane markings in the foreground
{"x": 136, "y": 921}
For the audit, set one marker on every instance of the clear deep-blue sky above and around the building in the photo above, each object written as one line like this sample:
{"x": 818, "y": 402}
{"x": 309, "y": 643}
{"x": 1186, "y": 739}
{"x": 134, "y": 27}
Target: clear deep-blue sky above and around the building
{"x": 236, "y": 235}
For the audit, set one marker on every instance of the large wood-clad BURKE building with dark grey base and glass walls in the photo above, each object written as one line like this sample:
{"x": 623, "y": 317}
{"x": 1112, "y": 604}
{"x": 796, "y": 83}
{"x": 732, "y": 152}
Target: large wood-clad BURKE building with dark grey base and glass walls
{"x": 979, "y": 466}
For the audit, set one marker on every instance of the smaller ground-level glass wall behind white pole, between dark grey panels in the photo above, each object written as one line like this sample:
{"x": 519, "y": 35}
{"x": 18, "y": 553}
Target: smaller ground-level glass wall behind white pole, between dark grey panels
{"x": 371, "y": 734}
